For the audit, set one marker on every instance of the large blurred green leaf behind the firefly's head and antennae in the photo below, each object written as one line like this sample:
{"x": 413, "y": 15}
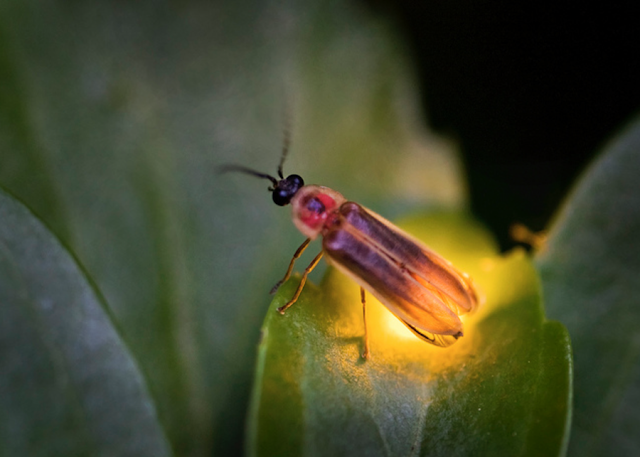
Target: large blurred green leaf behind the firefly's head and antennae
{"x": 113, "y": 119}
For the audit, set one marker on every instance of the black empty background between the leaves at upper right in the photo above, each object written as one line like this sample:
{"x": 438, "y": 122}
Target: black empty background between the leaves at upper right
{"x": 531, "y": 90}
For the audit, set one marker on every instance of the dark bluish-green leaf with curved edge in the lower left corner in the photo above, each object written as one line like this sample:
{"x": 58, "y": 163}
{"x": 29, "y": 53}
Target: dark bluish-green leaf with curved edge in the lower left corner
{"x": 69, "y": 385}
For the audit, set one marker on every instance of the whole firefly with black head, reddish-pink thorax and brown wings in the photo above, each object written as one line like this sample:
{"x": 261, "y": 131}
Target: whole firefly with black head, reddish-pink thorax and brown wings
{"x": 422, "y": 289}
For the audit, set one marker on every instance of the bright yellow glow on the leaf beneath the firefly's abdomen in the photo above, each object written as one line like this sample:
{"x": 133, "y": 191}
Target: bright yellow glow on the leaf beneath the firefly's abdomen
{"x": 393, "y": 347}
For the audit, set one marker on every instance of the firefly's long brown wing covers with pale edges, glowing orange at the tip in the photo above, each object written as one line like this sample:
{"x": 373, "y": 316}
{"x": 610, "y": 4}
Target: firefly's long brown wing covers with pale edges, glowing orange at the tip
{"x": 421, "y": 288}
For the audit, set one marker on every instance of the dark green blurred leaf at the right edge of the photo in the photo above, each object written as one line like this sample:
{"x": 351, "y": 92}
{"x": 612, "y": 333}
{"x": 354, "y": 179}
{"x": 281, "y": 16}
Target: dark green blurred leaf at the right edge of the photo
{"x": 590, "y": 270}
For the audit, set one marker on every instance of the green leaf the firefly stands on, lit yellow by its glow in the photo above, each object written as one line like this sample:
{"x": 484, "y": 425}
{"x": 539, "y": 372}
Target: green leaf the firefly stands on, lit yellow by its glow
{"x": 503, "y": 389}
